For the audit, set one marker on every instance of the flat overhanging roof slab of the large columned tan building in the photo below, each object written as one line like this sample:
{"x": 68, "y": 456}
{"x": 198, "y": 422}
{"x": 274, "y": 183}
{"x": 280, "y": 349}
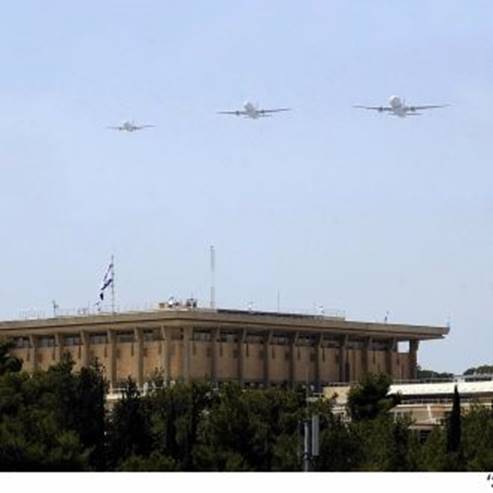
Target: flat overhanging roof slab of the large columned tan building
{"x": 223, "y": 319}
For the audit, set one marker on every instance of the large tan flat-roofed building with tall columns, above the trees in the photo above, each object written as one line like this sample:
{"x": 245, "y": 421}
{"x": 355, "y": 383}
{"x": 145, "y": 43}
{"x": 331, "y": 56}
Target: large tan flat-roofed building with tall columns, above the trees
{"x": 251, "y": 347}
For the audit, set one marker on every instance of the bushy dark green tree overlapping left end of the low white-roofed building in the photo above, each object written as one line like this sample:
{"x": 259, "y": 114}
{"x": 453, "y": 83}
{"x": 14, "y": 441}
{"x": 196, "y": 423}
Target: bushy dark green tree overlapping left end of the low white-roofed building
{"x": 369, "y": 398}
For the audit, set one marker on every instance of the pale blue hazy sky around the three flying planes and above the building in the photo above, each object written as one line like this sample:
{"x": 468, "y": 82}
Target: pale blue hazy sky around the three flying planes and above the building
{"x": 325, "y": 205}
